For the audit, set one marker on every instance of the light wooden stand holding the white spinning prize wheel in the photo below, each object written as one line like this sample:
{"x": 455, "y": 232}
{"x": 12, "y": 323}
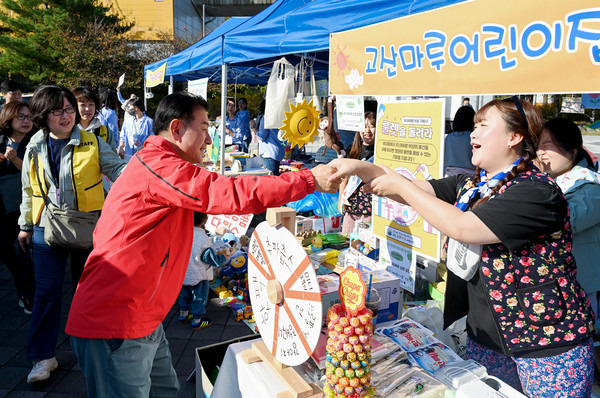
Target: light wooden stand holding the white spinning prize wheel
{"x": 297, "y": 386}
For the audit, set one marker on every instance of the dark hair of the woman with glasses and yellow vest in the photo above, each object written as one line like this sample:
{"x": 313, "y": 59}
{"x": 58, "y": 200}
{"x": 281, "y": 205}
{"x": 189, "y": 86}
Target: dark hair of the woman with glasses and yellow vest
{"x": 47, "y": 98}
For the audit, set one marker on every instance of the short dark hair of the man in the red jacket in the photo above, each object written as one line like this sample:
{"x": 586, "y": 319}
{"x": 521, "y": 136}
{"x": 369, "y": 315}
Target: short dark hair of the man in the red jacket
{"x": 179, "y": 105}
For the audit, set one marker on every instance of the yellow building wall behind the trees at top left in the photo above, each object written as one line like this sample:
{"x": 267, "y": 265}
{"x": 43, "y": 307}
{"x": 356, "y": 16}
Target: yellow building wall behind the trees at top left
{"x": 149, "y": 16}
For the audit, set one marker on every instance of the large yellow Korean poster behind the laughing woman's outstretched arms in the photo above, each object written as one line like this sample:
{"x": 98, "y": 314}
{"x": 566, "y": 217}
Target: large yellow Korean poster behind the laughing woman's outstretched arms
{"x": 410, "y": 141}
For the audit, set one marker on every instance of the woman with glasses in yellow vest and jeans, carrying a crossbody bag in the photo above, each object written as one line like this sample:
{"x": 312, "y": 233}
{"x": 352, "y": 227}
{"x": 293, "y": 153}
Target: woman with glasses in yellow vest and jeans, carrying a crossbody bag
{"x": 62, "y": 165}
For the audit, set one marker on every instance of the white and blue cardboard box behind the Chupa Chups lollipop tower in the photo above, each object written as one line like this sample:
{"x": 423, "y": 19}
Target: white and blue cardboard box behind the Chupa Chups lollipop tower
{"x": 386, "y": 284}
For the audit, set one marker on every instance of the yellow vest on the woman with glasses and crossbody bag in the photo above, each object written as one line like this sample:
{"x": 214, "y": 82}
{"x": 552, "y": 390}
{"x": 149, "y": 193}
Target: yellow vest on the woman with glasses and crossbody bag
{"x": 86, "y": 178}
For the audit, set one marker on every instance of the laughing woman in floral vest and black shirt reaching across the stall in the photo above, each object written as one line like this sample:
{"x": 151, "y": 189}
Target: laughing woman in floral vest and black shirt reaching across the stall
{"x": 511, "y": 269}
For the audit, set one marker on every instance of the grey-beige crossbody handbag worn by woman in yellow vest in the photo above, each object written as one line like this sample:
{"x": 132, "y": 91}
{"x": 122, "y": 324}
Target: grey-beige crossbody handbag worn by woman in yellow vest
{"x": 71, "y": 229}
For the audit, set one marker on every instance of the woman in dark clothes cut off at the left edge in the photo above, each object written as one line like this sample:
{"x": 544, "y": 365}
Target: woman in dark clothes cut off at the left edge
{"x": 15, "y": 132}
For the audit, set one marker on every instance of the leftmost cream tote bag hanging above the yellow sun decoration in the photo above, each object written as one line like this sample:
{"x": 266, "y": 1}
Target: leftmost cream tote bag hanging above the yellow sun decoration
{"x": 280, "y": 92}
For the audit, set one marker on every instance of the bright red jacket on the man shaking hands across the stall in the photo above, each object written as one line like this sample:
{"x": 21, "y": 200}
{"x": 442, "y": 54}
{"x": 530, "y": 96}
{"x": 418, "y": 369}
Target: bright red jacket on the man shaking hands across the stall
{"x": 143, "y": 239}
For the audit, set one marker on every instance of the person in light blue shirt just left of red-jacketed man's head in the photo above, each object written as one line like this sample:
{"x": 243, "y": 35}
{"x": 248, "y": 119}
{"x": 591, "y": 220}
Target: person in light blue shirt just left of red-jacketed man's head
{"x": 135, "y": 130}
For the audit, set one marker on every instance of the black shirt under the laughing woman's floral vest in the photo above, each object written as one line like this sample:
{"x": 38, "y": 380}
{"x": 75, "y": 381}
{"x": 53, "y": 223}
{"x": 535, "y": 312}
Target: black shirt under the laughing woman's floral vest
{"x": 521, "y": 213}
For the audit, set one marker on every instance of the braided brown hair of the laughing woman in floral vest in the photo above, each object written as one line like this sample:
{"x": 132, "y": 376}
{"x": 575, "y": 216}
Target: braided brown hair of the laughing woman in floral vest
{"x": 530, "y": 128}
